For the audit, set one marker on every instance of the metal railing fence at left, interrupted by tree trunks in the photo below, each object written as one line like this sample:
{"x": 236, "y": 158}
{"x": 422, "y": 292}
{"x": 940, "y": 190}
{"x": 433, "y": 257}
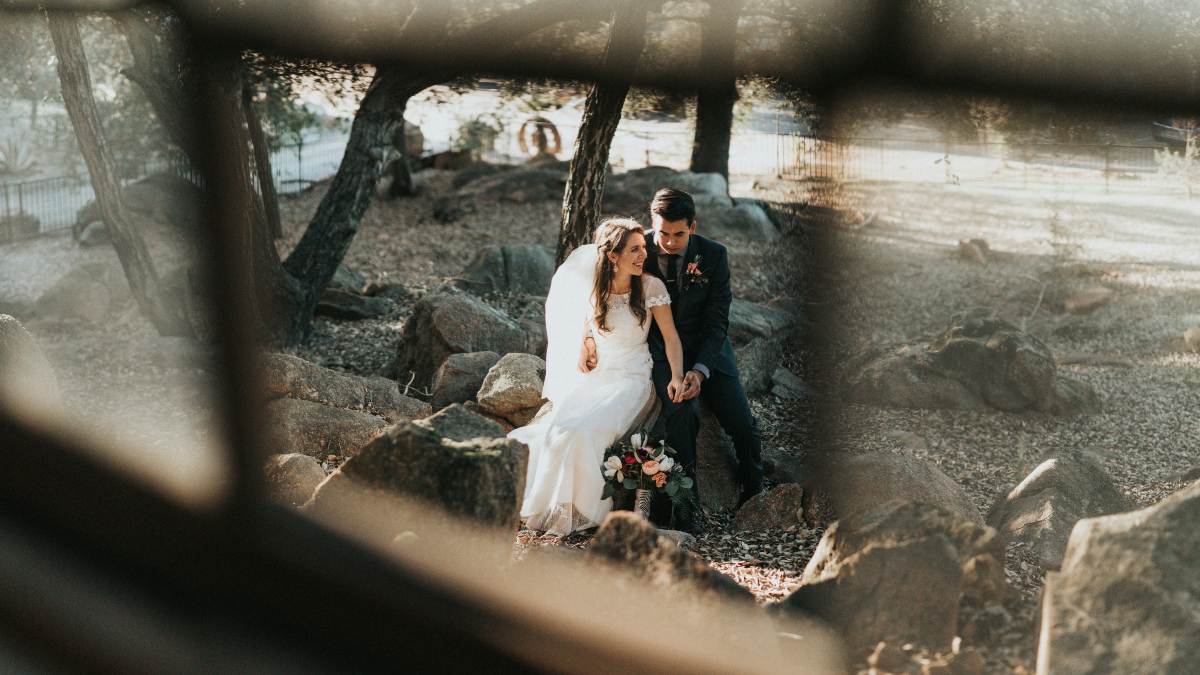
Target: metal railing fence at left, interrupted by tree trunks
{"x": 51, "y": 206}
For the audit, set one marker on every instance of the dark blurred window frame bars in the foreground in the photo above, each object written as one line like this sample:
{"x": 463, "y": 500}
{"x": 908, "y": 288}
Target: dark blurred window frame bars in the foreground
{"x": 104, "y": 574}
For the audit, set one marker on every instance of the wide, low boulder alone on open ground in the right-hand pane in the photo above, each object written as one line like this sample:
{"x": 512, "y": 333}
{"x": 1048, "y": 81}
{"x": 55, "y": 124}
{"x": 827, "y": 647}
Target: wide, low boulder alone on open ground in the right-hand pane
{"x": 977, "y": 365}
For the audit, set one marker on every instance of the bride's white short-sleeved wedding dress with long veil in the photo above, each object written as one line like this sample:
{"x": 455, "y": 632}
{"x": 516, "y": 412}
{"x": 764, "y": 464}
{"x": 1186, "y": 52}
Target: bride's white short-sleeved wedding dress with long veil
{"x": 567, "y": 446}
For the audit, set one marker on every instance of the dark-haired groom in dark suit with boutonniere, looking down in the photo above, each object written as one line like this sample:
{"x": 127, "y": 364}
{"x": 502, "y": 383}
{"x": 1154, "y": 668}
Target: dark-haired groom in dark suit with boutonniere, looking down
{"x": 697, "y": 272}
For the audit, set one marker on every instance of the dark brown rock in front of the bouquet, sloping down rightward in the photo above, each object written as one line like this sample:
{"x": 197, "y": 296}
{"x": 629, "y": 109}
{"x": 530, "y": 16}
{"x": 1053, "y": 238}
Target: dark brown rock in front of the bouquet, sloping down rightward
{"x": 632, "y": 542}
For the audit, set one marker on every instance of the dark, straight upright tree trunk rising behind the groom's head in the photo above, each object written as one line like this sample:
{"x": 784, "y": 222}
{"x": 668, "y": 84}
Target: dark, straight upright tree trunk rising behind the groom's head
{"x": 715, "y": 105}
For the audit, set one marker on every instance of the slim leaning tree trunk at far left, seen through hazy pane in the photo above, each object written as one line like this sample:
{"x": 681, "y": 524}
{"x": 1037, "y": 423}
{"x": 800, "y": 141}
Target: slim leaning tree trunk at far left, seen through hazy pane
{"x": 169, "y": 319}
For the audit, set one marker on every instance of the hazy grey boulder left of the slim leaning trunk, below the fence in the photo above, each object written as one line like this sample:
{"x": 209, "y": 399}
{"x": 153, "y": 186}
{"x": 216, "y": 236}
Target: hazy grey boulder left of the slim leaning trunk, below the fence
{"x": 92, "y": 292}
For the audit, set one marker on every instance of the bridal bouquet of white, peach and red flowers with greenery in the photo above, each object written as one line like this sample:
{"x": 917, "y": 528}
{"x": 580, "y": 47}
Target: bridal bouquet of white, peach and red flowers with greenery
{"x": 641, "y": 467}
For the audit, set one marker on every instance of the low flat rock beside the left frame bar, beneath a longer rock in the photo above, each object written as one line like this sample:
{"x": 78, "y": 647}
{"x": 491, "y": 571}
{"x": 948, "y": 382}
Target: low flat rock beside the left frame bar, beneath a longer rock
{"x": 319, "y": 431}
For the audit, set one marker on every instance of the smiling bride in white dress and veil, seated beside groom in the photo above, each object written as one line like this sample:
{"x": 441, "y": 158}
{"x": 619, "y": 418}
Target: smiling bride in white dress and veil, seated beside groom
{"x": 599, "y": 294}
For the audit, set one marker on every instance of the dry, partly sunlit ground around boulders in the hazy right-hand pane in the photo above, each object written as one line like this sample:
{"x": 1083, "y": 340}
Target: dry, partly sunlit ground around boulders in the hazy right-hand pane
{"x": 895, "y": 276}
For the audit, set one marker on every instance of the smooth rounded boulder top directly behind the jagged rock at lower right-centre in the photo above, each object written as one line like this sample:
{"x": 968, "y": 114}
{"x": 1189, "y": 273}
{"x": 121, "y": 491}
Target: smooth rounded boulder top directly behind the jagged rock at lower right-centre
{"x": 860, "y": 485}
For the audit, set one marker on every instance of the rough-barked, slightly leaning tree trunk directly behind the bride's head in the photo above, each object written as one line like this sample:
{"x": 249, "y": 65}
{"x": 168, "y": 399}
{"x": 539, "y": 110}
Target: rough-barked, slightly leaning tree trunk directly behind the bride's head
{"x": 602, "y": 115}
